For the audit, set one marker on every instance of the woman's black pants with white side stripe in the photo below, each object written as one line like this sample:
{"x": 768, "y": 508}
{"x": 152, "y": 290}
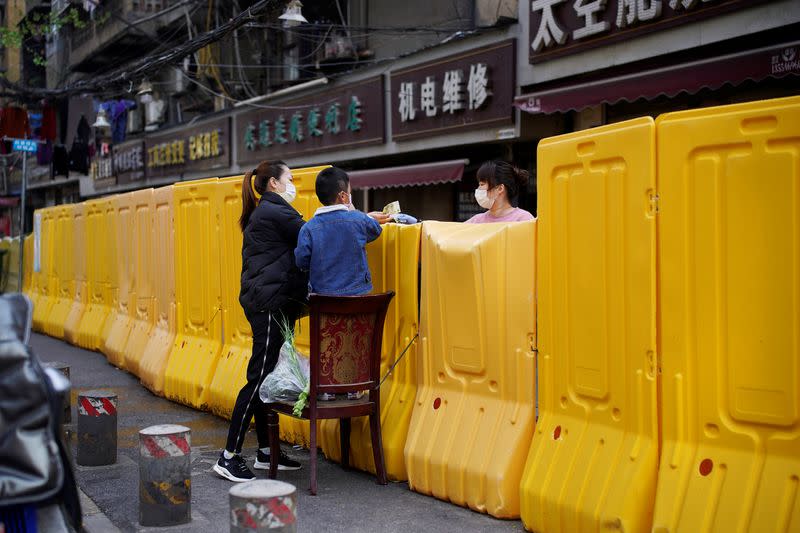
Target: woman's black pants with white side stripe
{"x": 267, "y": 342}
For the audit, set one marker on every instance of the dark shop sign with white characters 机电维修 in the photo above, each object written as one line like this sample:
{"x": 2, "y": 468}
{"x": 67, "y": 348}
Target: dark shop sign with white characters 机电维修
{"x": 466, "y": 91}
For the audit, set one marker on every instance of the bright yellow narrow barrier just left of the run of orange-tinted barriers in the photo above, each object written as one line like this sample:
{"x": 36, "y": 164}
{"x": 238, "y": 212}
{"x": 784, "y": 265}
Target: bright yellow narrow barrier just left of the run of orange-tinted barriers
{"x": 100, "y": 261}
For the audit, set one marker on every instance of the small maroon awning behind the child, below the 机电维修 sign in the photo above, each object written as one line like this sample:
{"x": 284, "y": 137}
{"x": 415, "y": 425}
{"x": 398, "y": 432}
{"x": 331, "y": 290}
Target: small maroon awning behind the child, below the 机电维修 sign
{"x": 424, "y": 174}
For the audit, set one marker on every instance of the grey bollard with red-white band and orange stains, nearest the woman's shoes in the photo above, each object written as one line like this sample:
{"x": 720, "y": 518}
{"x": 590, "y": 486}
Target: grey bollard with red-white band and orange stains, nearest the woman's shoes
{"x": 165, "y": 475}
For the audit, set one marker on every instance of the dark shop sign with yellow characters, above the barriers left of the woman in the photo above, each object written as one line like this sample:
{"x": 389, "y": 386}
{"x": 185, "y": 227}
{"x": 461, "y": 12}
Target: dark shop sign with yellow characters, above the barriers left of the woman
{"x": 203, "y": 146}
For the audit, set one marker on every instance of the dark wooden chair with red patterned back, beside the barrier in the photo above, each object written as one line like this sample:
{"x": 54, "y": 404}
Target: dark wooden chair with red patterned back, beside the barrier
{"x": 346, "y": 338}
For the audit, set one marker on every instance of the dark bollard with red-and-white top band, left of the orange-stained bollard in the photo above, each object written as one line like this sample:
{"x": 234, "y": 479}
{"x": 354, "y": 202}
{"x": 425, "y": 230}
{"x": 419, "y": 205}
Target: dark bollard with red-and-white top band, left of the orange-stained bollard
{"x": 97, "y": 428}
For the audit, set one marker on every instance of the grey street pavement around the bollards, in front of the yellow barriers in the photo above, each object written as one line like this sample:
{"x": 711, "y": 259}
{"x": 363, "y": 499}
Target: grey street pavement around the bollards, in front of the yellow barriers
{"x": 347, "y": 500}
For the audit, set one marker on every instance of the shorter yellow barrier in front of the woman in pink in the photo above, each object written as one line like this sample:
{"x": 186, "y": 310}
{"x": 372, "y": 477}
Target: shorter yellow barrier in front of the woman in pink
{"x": 473, "y": 417}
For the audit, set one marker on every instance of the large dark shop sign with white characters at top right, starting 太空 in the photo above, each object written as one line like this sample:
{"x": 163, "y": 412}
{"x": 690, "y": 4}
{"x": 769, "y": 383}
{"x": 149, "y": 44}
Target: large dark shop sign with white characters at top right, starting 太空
{"x": 562, "y": 27}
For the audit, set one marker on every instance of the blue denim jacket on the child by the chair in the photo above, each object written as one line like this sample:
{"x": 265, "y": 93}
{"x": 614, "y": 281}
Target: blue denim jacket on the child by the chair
{"x": 331, "y": 248}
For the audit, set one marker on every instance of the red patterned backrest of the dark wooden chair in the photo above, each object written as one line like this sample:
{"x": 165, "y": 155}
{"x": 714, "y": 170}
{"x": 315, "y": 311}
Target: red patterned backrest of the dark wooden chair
{"x": 346, "y": 338}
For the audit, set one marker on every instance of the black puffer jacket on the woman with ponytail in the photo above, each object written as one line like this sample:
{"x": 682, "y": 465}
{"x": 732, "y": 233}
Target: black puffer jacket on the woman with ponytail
{"x": 270, "y": 278}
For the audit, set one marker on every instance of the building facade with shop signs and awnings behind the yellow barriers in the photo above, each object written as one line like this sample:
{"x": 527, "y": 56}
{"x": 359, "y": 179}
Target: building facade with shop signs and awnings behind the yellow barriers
{"x": 411, "y": 101}
